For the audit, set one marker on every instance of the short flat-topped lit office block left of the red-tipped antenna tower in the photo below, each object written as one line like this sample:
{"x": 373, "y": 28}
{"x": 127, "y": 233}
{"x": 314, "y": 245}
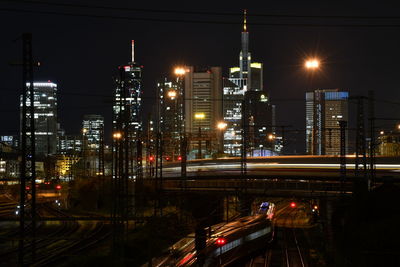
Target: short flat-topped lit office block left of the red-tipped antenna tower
{"x": 93, "y": 128}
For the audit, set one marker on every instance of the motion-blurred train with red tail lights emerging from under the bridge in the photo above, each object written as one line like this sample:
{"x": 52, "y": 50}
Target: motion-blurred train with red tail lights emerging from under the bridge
{"x": 224, "y": 243}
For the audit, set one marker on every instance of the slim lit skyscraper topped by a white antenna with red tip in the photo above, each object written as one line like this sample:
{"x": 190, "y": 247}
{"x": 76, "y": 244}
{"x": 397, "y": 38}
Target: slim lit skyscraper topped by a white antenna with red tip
{"x": 128, "y": 93}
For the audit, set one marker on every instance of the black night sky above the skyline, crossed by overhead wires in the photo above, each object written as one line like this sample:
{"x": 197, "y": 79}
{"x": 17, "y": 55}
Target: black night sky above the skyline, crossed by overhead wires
{"x": 81, "y": 53}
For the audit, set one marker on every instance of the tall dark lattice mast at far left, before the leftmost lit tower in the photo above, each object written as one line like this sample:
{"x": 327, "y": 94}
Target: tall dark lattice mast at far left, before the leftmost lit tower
{"x": 28, "y": 158}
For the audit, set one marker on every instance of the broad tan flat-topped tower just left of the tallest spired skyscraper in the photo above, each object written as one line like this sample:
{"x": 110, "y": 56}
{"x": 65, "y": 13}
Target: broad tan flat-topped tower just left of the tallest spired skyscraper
{"x": 203, "y": 109}
